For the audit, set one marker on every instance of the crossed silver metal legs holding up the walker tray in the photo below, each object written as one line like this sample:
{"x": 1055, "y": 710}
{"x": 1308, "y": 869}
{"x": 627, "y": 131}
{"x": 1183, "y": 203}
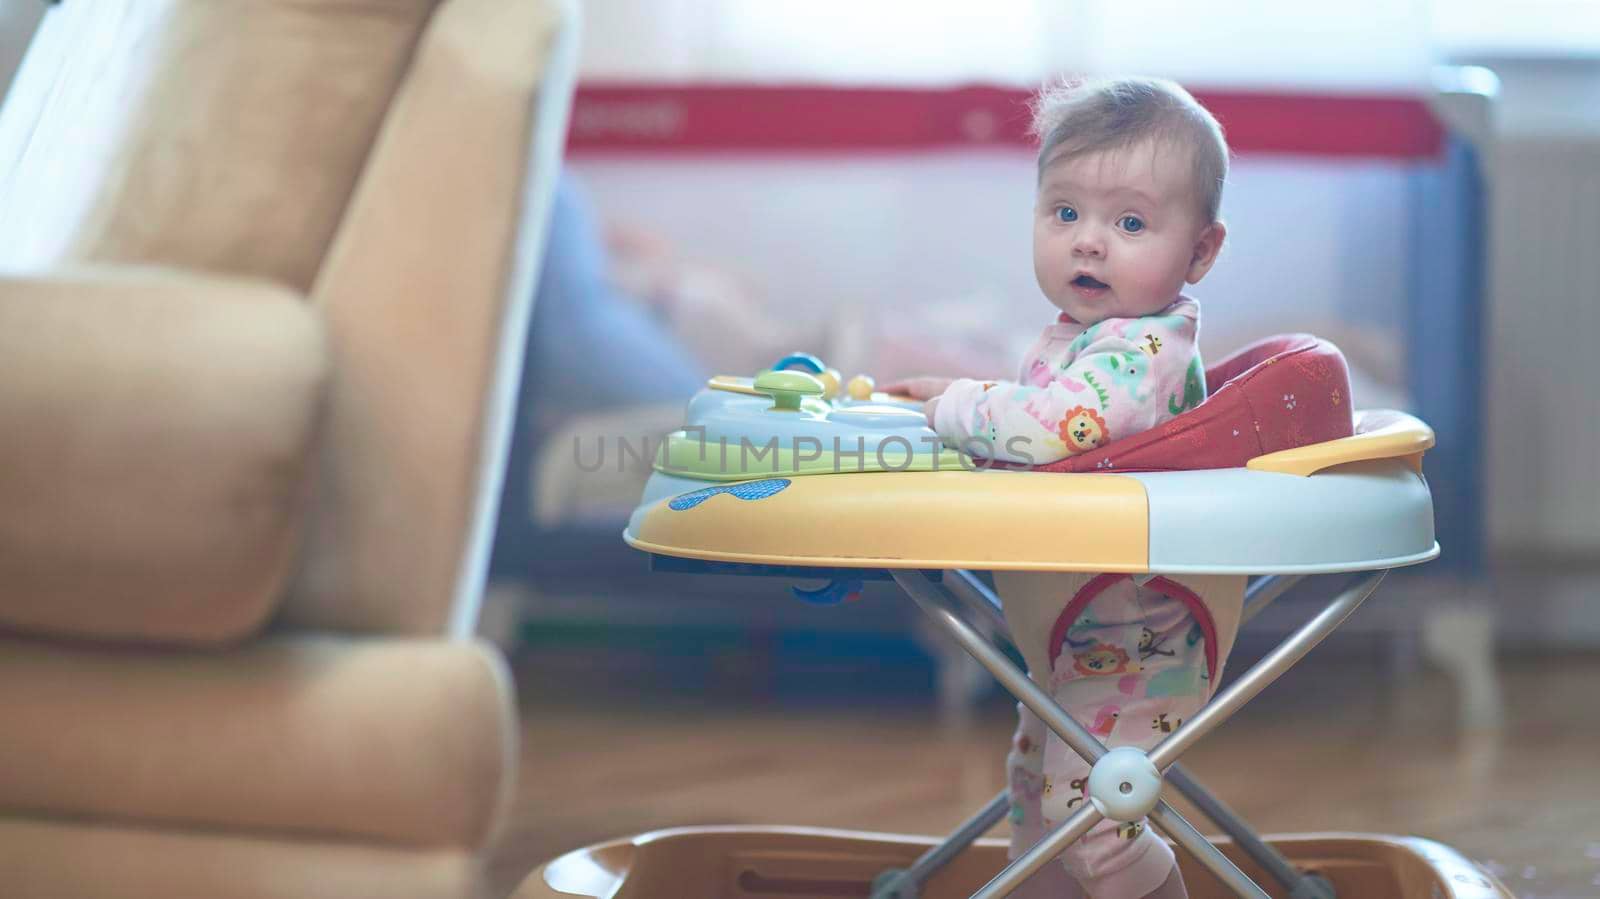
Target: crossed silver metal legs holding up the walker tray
{"x": 943, "y": 599}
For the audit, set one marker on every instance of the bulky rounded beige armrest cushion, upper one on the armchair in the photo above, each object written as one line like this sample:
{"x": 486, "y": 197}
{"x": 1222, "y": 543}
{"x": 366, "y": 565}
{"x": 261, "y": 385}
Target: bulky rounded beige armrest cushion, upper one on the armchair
{"x": 156, "y": 431}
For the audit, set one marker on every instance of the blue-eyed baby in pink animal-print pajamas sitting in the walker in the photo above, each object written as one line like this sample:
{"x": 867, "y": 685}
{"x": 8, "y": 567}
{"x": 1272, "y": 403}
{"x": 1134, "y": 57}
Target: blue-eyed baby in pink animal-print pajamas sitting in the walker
{"x": 1130, "y": 182}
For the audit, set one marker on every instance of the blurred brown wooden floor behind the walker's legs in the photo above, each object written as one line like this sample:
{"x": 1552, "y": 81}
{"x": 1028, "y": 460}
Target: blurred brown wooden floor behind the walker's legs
{"x": 1338, "y": 745}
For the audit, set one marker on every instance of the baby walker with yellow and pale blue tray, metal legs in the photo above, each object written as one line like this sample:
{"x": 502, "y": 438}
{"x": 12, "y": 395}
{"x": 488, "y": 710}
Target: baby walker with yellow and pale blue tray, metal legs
{"x": 788, "y": 474}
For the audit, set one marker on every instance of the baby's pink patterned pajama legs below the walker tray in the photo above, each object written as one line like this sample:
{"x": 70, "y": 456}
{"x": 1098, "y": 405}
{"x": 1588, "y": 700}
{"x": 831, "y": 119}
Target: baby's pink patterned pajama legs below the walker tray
{"x": 1130, "y": 663}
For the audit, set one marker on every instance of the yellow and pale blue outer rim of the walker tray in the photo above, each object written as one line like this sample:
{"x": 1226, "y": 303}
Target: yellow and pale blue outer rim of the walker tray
{"x": 1238, "y": 521}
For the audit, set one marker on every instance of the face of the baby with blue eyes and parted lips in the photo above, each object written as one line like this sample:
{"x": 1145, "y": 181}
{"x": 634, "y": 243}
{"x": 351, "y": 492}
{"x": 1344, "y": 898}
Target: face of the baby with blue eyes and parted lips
{"x": 1118, "y": 234}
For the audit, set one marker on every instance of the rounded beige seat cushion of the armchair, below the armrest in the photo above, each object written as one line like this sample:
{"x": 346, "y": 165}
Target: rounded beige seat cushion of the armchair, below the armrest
{"x": 375, "y": 741}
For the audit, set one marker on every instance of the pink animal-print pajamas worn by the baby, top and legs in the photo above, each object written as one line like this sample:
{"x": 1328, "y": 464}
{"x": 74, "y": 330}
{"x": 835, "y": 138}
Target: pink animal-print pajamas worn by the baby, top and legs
{"x": 1129, "y": 661}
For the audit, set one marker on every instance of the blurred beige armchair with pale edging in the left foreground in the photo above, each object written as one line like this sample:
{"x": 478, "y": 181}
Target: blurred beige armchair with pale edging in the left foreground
{"x": 266, "y": 274}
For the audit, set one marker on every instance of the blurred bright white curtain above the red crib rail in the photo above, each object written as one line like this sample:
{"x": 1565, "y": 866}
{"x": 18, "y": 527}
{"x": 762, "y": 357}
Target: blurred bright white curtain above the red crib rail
{"x": 1361, "y": 44}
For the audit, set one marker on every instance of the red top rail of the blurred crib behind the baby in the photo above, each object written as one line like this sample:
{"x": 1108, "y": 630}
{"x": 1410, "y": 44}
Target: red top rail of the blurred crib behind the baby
{"x": 826, "y": 119}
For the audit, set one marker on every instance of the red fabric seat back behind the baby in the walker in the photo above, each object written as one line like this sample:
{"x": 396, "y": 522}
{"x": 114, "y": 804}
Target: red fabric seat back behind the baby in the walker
{"x": 1276, "y": 394}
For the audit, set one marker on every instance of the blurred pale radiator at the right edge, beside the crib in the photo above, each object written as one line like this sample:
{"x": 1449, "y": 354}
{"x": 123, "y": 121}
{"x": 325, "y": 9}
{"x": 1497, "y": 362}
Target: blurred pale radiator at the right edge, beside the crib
{"x": 1543, "y": 340}
